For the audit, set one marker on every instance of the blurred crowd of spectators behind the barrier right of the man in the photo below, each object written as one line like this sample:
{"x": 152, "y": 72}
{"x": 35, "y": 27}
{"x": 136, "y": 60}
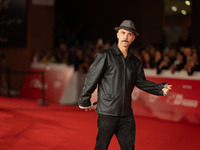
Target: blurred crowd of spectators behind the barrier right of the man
{"x": 174, "y": 58}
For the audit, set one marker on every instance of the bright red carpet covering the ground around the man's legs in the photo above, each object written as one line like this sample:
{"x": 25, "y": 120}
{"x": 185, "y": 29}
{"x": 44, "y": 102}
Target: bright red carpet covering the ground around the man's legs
{"x": 24, "y": 125}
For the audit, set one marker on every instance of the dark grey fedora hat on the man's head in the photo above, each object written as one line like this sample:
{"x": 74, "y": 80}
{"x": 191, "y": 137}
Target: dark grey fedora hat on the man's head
{"x": 127, "y": 25}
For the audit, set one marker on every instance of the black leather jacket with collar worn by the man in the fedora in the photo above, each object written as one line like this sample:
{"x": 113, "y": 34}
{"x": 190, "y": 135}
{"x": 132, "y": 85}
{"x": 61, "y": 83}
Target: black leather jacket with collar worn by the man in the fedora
{"x": 116, "y": 78}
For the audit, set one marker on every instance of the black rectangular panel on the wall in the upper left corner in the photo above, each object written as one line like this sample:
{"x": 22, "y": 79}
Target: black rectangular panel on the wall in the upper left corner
{"x": 13, "y": 23}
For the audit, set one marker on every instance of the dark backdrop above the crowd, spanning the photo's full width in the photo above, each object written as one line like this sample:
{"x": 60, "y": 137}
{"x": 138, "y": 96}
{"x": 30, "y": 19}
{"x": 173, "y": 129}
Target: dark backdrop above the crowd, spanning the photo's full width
{"x": 44, "y": 26}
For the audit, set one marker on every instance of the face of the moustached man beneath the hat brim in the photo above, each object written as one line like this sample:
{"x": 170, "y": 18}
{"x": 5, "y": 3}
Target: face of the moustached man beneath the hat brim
{"x": 125, "y": 37}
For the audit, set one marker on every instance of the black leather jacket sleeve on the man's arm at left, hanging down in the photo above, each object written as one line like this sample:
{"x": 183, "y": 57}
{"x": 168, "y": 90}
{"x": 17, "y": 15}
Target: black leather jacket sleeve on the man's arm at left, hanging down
{"x": 93, "y": 77}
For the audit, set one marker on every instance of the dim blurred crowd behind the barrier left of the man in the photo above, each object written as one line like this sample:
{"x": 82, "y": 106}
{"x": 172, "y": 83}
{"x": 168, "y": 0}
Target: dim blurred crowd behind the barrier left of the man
{"x": 80, "y": 58}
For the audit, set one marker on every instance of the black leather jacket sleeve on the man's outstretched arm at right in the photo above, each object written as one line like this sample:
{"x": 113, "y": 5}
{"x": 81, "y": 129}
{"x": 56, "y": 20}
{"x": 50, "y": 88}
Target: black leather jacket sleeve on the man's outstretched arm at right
{"x": 146, "y": 85}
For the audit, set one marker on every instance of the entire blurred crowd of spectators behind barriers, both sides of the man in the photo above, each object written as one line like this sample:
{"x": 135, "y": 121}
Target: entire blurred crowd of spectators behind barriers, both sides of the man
{"x": 174, "y": 58}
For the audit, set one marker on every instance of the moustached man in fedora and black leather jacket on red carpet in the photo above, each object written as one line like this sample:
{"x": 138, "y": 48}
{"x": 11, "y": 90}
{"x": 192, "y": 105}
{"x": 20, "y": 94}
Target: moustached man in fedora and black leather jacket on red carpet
{"x": 116, "y": 72}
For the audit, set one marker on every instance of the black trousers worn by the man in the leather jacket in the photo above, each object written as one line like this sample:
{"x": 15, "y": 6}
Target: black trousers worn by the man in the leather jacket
{"x": 122, "y": 127}
